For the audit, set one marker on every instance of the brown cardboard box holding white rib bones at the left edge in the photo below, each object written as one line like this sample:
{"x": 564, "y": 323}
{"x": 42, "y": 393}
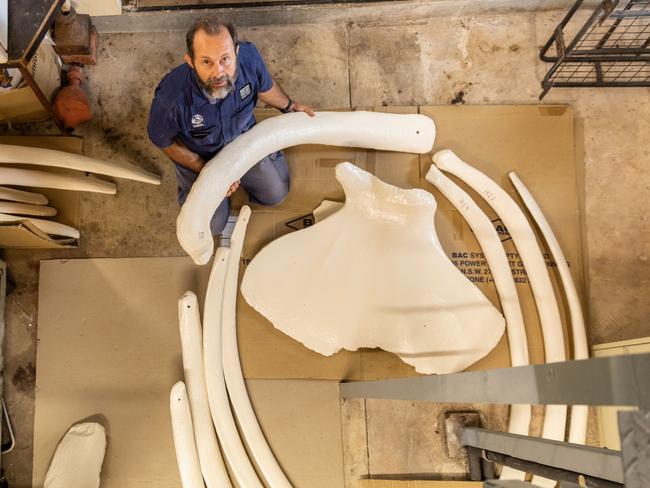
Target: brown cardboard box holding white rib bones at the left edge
{"x": 66, "y": 202}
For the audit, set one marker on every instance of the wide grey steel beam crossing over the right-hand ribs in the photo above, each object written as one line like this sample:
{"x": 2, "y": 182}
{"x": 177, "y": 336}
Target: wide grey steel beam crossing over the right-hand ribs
{"x": 617, "y": 380}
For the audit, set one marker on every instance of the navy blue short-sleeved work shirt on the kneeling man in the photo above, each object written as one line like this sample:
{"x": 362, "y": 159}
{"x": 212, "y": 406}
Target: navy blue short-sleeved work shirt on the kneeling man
{"x": 180, "y": 110}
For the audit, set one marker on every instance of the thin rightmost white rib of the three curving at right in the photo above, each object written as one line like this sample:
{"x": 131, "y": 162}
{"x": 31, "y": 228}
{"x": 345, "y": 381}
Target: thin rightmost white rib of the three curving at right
{"x": 579, "y": 413}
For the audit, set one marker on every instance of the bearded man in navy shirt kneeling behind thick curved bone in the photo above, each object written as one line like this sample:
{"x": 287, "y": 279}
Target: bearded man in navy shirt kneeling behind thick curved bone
{"x": 205, "y": 103}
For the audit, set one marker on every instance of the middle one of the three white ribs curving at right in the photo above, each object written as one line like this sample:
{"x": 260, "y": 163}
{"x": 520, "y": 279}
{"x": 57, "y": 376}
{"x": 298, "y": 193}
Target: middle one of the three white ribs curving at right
{"x": 540, "y": 282}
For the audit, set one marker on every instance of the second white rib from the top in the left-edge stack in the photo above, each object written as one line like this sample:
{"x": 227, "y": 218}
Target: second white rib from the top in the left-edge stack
{"x": 59, "y": 181}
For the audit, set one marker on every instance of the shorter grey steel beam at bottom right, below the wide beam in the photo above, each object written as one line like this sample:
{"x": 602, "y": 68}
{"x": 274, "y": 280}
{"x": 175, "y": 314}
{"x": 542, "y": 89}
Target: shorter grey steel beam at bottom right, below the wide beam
{"x": 592, "y": 462}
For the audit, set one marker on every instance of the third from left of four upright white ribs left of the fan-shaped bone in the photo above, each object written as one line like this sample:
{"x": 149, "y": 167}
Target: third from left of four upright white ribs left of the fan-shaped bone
{"x": 224, "y": 422}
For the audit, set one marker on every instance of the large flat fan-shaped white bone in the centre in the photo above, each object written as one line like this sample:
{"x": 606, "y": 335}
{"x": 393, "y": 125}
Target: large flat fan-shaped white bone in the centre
{"x": 374, "y": 275}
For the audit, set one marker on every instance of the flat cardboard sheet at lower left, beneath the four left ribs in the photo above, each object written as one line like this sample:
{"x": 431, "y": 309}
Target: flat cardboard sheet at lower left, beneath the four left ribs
{"x": 109, "y": 350}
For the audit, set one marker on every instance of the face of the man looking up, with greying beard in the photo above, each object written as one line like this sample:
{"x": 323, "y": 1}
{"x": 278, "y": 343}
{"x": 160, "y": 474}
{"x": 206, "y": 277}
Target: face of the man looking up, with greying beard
{"x": 215, "y": 62}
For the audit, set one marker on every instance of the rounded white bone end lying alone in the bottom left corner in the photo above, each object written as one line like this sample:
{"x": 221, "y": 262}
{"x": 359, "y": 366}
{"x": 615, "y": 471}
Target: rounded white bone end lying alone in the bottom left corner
{"x": 78, "y": 458}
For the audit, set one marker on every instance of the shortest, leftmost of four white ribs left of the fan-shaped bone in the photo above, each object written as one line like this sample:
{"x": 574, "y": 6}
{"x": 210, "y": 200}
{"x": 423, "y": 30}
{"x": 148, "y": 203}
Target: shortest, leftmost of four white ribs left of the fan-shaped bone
{"x": 186, "y": 455}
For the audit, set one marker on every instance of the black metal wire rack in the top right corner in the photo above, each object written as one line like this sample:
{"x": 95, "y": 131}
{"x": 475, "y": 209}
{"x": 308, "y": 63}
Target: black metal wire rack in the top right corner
{"x": 611, "y": 49}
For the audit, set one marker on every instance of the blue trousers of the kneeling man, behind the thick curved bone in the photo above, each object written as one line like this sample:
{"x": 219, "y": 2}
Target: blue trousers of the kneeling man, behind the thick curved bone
{"x": 266, "y": 183}
